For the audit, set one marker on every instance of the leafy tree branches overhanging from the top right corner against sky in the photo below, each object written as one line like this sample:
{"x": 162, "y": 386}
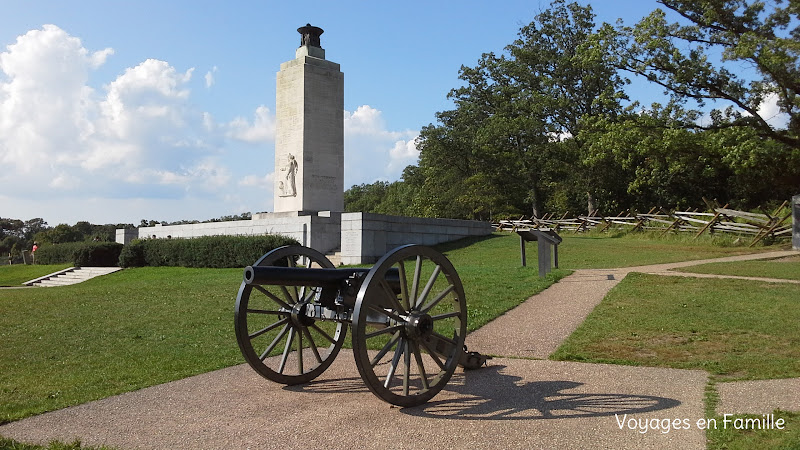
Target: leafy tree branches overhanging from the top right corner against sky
{"x": 745, "y": 32}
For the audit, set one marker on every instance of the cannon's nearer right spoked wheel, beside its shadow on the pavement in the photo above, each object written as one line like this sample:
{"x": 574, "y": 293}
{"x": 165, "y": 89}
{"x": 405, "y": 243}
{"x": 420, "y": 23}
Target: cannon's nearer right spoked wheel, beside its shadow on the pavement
{"x": 407, "y": 344}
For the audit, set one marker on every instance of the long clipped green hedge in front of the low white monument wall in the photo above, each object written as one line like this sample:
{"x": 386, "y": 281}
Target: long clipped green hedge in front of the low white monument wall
{"x": 207, "y": 251}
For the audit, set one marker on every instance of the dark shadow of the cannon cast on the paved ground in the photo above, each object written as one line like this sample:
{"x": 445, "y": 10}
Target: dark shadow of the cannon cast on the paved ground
{"x": 488, "y": 394}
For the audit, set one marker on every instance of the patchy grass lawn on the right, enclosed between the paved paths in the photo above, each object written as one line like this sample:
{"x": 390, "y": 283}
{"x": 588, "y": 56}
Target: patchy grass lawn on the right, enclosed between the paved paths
{"x": 734, "y": 329}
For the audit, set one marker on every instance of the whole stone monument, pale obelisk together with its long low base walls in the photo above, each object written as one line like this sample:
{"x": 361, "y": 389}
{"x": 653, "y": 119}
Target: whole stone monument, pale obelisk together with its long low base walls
{"x": 309, "y": 176}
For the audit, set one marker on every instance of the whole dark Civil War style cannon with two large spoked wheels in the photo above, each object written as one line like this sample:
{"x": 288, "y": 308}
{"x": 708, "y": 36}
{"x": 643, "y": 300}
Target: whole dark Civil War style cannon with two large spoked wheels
{"x": 407, "y": 316}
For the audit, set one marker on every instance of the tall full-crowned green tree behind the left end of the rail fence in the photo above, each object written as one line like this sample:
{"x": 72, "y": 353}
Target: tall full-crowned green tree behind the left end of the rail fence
{"x": 502, "y": 148}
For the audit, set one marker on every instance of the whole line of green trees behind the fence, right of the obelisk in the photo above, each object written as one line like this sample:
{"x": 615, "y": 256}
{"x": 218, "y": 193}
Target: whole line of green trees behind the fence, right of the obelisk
{"x": 548, "y": 126}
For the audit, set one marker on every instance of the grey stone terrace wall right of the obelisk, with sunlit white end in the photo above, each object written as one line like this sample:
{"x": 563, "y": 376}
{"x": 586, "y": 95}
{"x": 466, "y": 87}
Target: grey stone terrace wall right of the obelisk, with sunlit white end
{"x": 366, "y": 236}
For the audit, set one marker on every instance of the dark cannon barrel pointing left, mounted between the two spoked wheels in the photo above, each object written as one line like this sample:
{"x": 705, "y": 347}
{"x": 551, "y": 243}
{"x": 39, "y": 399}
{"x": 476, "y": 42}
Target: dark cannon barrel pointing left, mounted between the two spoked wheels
{"x": 301, "y": 276}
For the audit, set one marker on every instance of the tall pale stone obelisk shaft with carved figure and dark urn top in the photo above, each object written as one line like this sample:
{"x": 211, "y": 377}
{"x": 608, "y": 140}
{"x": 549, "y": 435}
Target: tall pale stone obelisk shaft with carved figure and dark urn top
{"x": 309, "y": 137}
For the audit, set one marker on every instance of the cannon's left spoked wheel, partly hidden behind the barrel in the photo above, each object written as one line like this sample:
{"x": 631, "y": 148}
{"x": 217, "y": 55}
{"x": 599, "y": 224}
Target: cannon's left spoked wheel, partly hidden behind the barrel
{"x": 281, "y": 346}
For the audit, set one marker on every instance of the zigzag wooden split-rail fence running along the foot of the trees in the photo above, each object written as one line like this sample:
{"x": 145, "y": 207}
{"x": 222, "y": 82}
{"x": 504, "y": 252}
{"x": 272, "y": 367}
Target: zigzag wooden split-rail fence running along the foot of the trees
{"x": 721, "y": 220}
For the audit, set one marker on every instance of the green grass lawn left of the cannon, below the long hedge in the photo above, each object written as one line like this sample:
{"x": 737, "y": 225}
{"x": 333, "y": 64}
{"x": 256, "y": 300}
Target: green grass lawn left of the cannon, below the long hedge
{"x": 135, "y": 328}
